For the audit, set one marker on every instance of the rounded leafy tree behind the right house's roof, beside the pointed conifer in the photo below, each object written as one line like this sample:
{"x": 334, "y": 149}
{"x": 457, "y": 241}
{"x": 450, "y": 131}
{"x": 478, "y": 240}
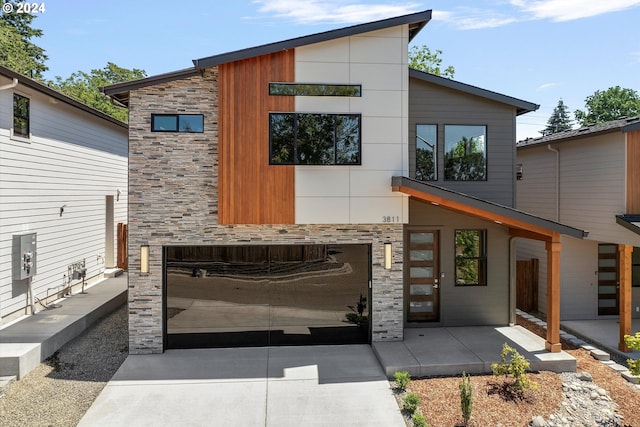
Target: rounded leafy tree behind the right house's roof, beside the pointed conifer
{"x": 611, "y": 104}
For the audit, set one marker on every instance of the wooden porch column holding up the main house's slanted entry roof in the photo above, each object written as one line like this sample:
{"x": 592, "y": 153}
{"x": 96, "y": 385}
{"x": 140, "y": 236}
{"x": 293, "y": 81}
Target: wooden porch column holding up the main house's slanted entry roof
{"x": 554, "y": 248}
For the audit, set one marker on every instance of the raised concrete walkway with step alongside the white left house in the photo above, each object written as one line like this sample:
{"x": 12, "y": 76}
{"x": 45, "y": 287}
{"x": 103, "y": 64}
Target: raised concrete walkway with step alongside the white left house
{"x": 26, "y": 343}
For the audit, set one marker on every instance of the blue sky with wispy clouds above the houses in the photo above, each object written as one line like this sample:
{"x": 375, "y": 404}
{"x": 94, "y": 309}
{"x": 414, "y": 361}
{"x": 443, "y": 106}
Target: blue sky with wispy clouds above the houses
{"x": 536, "y": 50}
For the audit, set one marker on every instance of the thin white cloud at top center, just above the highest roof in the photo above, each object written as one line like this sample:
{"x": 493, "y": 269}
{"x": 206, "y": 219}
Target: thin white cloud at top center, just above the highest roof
{"x": 336, "y": 11}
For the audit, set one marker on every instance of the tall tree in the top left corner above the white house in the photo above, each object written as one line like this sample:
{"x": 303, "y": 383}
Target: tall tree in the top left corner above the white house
{"x": 16, "y": 49}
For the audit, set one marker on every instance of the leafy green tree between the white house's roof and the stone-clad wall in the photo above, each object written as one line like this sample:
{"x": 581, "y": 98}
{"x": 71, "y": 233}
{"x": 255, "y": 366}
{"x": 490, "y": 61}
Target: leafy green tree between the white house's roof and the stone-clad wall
{"x": 85, "y": 87}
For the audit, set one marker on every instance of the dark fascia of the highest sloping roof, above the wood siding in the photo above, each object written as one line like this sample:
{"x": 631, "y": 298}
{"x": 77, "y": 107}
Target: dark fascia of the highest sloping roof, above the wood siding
{"x": 420, "y": 19}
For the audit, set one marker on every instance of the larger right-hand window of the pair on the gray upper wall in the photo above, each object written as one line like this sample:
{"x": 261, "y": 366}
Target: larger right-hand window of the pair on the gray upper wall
{"x": 465, "y": 153}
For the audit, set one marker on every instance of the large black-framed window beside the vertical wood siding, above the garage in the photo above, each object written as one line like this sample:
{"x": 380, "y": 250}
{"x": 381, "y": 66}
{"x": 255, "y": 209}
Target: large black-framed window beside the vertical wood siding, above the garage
{"x": 314, "y": 139}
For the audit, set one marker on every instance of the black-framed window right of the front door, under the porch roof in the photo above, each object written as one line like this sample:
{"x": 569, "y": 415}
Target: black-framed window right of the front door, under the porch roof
{"x": 471, "y": 257}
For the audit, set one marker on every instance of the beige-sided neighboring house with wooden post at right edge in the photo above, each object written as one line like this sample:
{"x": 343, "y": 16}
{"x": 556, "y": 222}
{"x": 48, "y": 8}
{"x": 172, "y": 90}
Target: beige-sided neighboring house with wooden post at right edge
{"x": 588, "y": 178}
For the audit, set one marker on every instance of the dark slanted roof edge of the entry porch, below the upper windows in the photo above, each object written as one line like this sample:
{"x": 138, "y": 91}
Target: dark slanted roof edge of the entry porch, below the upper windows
{"x": 488, "y": 206}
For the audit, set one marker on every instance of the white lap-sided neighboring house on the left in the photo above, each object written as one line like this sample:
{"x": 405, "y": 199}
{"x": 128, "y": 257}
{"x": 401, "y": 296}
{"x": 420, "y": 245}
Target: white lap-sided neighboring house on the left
{"x": 63, "y": 176}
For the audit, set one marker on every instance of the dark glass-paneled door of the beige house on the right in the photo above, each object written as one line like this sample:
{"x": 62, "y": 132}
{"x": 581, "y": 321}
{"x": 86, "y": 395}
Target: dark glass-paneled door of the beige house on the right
{"x": 608, "y": 283}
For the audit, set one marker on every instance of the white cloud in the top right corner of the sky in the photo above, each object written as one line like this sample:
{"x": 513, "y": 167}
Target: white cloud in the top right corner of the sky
{"x": 567, "y": 10}
